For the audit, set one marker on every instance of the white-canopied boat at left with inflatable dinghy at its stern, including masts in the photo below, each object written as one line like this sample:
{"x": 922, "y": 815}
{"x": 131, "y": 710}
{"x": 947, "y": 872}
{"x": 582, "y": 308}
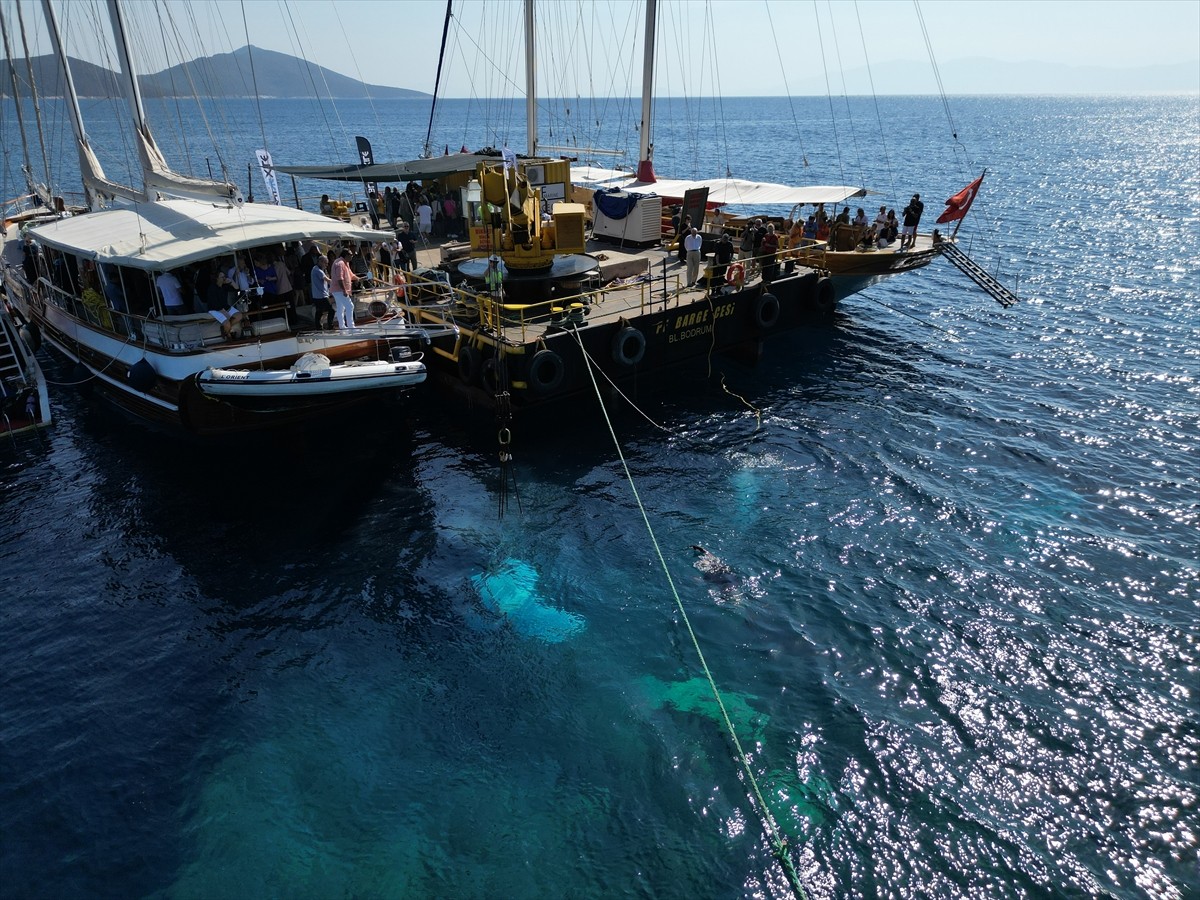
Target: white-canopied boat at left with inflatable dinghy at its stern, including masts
{"x": 89, "y": 285}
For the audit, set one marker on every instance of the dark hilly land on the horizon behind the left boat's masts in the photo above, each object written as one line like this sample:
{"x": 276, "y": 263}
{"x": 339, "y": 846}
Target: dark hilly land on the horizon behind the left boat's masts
{"x": 226, "y": 75}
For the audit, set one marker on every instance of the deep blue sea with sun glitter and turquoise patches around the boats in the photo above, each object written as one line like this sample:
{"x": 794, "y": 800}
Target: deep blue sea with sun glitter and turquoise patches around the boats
{"x": 939, "y": 560}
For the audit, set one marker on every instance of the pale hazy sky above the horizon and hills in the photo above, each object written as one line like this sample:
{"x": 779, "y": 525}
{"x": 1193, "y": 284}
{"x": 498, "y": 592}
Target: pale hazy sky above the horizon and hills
{"x": 706, "y": 47}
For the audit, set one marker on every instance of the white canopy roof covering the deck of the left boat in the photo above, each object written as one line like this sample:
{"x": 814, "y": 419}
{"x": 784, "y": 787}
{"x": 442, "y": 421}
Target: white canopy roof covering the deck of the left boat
{"x": 169, "y": 235}
